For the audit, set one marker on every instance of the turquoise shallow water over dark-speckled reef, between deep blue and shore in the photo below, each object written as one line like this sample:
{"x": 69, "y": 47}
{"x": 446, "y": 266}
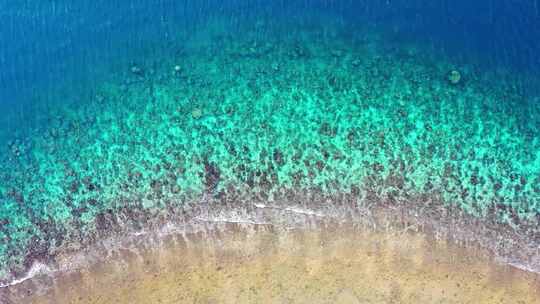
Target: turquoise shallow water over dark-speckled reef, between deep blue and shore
{"x": 260, "y": 113}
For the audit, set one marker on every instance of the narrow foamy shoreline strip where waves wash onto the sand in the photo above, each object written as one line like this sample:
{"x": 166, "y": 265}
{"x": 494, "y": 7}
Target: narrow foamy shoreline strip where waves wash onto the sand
{"x": 215, "y": 224}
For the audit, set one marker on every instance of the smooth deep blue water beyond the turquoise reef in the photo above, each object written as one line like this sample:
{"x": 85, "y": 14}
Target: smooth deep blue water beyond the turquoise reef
{"x": 43, "y": 42}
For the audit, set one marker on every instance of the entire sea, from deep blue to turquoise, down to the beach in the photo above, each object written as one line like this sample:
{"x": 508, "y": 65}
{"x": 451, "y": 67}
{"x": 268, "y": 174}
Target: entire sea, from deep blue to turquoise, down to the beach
{"x": 128, "y": 116}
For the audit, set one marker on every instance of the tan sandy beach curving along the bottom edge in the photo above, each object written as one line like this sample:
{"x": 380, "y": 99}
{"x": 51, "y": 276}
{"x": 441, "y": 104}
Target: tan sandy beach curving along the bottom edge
{"x": 329, "y": 263}
